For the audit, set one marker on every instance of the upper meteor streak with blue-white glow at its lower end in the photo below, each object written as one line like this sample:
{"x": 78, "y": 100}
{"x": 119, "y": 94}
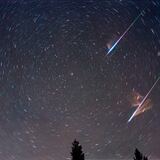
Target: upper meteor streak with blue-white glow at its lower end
{"x": 115, "y": 44}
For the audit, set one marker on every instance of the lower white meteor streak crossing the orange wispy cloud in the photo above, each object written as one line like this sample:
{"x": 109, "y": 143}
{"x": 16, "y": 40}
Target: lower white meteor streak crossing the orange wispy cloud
{"x": 143, "y": 100}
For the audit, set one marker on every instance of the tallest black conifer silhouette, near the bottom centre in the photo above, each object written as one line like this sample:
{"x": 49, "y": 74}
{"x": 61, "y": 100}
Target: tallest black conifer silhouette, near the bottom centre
{"x": 77, "y": 153}
